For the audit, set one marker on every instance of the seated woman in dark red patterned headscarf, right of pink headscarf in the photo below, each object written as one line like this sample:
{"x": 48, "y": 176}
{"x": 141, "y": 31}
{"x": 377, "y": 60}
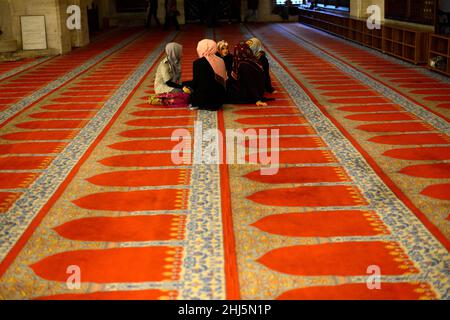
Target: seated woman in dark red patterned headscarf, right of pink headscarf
{"x": 247, "y": 83}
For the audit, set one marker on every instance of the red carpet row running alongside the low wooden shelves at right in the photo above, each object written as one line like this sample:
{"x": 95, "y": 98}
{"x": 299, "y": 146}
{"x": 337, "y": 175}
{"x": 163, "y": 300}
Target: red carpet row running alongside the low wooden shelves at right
{"x": 429, "y": 90}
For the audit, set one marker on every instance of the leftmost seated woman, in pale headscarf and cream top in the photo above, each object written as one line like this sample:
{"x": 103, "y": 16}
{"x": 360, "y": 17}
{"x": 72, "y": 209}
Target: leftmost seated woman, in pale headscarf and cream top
{"x": 168, "y": 74}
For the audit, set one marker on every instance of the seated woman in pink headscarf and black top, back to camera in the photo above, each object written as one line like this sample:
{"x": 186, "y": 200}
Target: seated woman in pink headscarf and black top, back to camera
{"x": 210, "y": 76}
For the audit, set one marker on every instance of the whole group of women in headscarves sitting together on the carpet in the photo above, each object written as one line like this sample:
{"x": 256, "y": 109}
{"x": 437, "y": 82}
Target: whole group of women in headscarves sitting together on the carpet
{"x": 219, "y": 77}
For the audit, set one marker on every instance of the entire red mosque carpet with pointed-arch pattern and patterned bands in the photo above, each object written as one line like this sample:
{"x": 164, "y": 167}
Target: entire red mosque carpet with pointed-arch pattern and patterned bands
{"x": 88, "y": 180}
